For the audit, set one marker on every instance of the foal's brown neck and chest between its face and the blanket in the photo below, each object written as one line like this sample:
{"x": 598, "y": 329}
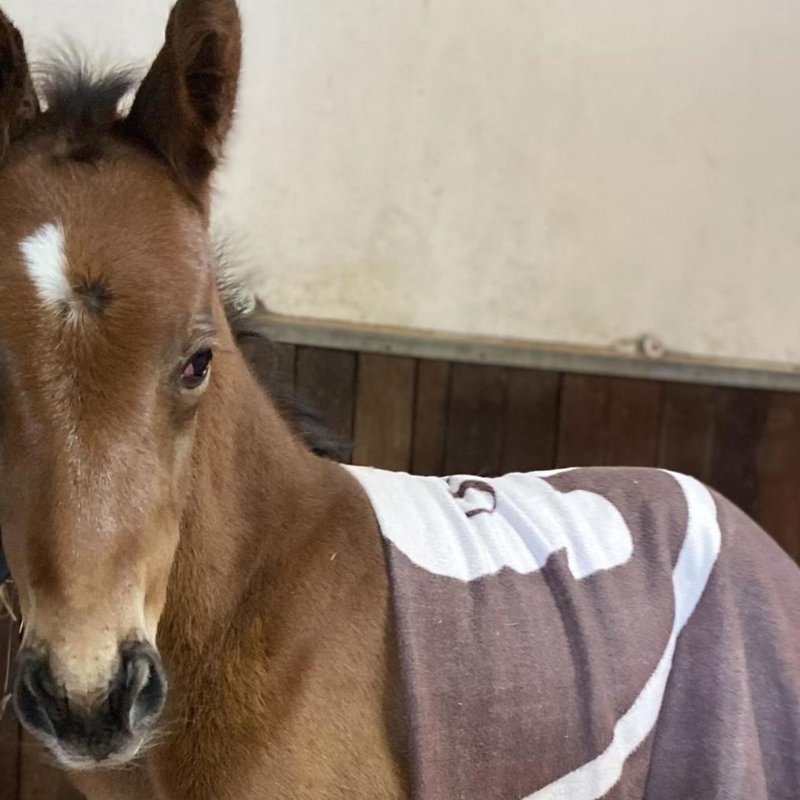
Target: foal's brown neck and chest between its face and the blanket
{"x": 278, "y": 590}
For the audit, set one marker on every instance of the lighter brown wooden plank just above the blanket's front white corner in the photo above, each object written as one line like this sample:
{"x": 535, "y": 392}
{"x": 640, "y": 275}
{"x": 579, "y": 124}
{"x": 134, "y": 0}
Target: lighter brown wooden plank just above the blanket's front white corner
{"x": 384, "y": 411}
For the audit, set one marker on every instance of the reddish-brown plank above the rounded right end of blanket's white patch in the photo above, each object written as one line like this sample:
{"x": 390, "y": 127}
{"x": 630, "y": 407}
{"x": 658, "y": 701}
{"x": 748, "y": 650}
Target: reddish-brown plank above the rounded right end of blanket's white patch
{"x": 583, "y": 435}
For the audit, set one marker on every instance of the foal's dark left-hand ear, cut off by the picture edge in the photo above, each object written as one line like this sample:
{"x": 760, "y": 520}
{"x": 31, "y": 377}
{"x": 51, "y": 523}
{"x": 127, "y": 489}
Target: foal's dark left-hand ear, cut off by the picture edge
{"x": 19, "y": 105}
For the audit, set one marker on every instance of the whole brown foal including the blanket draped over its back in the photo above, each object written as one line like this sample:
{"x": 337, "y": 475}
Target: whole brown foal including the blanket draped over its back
{"x": 207, "y": 602}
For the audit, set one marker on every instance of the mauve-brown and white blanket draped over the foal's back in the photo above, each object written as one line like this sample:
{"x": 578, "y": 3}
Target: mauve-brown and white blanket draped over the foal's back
{"x": 590, "y": 633}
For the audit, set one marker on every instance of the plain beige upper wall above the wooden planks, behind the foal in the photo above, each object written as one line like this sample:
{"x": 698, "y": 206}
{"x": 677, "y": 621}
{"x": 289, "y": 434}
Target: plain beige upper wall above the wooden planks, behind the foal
{"x": 547, "y": 169}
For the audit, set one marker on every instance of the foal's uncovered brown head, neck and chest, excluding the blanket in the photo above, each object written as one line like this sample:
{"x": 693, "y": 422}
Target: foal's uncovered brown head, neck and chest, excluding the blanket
{"x": 205, "y": 602}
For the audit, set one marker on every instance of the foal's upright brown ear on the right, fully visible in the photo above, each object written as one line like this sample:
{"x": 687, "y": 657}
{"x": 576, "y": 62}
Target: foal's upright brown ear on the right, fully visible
{"x": 184, "y": 107}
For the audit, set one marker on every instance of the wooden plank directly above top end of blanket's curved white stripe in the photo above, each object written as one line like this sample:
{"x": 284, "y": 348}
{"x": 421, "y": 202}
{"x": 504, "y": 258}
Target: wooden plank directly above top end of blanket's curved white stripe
{"x": 687, "y": 429}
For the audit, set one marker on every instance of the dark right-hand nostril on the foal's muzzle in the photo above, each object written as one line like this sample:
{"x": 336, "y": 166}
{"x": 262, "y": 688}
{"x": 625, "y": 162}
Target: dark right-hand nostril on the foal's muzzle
{"x": 142, "y": 688}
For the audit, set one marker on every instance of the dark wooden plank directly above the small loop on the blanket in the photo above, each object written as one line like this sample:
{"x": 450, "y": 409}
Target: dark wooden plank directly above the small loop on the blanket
{"x": 475, "y": 420}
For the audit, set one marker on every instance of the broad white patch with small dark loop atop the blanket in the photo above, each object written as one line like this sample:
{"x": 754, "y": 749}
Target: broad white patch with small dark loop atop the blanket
{"x": 531, "y": 521}
